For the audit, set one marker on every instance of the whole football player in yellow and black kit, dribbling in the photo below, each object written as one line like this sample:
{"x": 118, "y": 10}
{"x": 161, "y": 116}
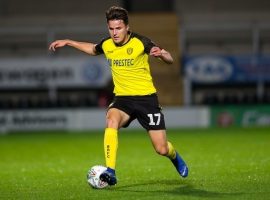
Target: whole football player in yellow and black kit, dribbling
{"x": 135, "y": 95}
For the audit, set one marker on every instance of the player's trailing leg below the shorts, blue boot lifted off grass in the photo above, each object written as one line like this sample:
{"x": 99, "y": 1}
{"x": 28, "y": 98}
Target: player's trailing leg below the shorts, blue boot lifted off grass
{"x": 165, "y": 148}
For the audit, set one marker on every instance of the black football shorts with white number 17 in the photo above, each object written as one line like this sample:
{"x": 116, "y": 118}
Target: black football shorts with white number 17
{"x": 145, "y": 109}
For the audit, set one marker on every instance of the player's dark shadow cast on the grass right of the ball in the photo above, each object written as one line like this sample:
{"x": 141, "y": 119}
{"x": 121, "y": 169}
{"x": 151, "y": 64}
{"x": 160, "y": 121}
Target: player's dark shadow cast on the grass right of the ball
{"x": 178, "y": 188}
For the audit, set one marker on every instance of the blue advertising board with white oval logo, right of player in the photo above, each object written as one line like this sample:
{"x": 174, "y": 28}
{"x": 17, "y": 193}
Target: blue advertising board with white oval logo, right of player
{"x": 217, "y": 69}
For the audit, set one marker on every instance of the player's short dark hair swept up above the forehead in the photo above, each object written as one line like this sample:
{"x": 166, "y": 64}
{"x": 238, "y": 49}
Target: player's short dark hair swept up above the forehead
{"x": 116, "y": 12}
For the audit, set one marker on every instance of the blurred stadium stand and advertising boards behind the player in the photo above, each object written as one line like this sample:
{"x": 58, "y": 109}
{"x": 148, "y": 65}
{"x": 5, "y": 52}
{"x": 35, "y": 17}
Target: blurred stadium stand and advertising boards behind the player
{"x": 221, "y": 76}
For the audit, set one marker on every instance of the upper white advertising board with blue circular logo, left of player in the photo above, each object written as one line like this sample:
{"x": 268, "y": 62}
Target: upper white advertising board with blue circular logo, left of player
{"x": 91, "y": 71}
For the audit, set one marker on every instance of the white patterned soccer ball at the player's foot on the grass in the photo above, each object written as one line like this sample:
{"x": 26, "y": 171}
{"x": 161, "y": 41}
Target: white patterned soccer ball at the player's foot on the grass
{"x": 93, "y": 177}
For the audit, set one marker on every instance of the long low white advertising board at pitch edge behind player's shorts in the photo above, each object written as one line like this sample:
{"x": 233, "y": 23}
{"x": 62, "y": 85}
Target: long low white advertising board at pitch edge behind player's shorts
{"x": 87, "y": 119}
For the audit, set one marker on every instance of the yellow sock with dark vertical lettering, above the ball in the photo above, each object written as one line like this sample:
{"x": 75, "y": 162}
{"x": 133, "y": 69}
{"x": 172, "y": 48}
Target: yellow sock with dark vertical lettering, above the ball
{"x": 110, "y": 146}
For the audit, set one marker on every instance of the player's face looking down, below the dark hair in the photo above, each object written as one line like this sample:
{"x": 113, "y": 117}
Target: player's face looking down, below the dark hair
{"x": 118, "y": 31}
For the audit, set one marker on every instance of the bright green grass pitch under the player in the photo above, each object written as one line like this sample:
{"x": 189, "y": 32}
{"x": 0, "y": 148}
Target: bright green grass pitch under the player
{"x": 231, "y": 163}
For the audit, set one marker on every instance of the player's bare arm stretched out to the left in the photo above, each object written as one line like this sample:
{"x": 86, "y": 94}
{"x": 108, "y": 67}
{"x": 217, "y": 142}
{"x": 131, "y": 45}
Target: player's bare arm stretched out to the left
{"x": 86, "y": 47}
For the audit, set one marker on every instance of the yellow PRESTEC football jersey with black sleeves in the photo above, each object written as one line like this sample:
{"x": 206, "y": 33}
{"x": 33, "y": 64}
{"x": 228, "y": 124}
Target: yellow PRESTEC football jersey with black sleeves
{"x": 129, "y": 65}
